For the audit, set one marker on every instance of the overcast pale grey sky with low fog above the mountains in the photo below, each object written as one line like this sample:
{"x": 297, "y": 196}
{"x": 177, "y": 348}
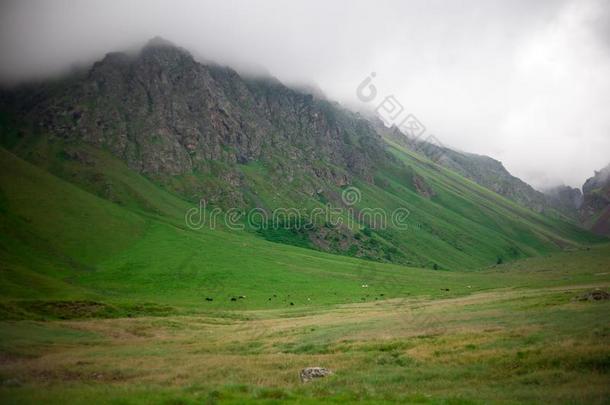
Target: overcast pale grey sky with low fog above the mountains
{"x": 526, "y": 82}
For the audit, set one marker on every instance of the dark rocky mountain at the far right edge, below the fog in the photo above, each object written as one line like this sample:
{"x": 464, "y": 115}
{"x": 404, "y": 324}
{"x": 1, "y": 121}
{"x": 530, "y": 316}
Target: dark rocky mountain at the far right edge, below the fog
{"x": 595, "y": 208}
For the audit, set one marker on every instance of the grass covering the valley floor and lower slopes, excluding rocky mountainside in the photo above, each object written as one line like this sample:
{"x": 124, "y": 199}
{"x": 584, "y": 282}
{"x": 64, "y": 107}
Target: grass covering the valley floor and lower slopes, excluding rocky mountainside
{"x": 107, "y": 296}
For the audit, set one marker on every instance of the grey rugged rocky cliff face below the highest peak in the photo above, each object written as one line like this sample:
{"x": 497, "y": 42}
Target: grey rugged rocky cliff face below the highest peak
{"x": 167, "y": 115}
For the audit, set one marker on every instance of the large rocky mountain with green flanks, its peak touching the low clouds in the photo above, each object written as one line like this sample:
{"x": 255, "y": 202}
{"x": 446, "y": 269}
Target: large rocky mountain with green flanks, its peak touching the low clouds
{"x": 204, "y": 132}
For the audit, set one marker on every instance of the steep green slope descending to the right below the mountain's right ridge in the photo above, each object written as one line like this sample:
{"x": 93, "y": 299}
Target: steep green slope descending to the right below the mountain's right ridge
{"x": 457, "y": 223}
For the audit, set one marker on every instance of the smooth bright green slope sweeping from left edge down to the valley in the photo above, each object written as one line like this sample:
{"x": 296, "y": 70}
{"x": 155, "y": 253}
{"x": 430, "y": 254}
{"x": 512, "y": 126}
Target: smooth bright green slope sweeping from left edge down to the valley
{"x": 61, "y": 242}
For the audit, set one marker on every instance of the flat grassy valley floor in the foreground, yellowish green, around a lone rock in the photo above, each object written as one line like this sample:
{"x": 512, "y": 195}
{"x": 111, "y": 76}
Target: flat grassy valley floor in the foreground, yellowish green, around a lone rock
{"x": 526, "y": 338}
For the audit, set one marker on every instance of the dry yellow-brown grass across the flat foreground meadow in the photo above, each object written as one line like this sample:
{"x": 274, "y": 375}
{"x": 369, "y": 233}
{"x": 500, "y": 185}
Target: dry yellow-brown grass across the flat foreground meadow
{"x": 497, "y": 346}
